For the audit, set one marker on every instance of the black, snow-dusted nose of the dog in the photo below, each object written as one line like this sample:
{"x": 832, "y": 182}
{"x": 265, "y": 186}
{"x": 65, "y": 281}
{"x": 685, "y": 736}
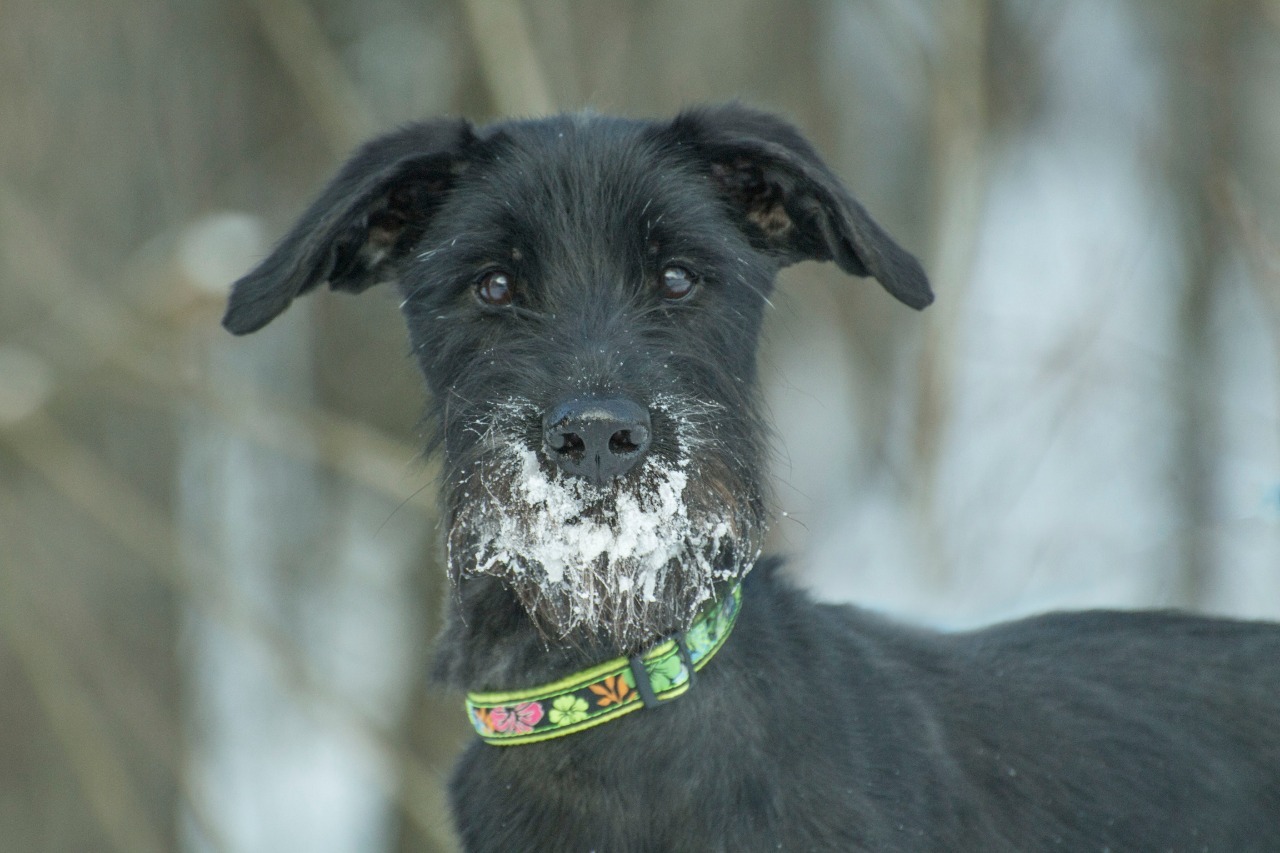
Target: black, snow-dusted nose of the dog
{"x": 597, "y": 439}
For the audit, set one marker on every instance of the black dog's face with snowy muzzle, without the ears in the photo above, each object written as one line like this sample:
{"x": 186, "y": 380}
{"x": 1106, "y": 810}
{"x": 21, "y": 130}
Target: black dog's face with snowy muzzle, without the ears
{"x": 573, "y": 268}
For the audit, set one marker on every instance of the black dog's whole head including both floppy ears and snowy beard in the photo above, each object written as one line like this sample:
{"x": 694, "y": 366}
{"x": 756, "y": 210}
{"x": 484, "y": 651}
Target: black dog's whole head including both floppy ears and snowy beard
{"x": 584, "y": 297}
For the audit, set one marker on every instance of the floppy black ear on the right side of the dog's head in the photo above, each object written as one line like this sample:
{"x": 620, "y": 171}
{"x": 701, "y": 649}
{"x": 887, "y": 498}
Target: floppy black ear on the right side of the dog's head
{"x": 790, "y": 204}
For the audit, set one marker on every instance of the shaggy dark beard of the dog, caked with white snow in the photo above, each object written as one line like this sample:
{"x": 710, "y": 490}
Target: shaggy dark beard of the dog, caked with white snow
{"x": 633, "y": 560}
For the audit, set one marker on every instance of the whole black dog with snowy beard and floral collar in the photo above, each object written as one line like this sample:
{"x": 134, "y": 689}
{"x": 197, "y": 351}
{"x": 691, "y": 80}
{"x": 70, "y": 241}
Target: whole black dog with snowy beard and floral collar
{"x": 584, "y": 297}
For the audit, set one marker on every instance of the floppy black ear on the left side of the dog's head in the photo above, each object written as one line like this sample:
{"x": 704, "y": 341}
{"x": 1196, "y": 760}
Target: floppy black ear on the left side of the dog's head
{"x": 360, "y": 230}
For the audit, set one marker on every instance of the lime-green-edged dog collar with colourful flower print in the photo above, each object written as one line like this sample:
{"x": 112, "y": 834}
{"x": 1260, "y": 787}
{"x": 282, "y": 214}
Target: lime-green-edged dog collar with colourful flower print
{"x": 607, "y": 691}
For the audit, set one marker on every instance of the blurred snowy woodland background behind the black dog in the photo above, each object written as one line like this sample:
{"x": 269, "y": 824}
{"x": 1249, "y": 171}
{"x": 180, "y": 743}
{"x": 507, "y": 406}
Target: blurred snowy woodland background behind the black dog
{"x": 220, "y": 559}
